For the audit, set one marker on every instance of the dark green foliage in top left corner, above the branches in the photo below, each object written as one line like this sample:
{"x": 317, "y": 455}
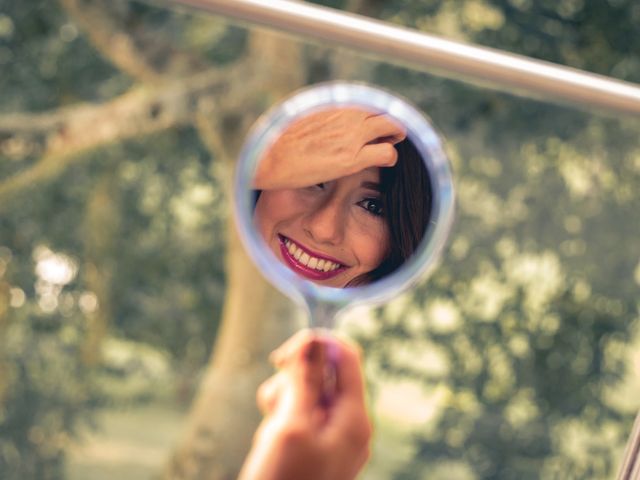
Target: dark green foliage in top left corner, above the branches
{"x": 46, "y": 63}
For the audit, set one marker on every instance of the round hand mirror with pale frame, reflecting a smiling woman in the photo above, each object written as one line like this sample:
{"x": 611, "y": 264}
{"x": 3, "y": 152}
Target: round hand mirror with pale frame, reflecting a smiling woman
{"x": 343, "y": 195}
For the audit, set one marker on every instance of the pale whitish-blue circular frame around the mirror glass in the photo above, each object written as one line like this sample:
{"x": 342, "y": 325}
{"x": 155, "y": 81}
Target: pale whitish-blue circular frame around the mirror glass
{"x": 428, "y": 143}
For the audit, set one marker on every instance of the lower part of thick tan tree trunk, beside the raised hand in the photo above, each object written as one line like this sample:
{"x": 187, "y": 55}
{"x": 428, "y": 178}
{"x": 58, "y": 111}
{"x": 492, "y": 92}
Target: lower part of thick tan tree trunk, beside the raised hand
{"x": 256, "y": 318}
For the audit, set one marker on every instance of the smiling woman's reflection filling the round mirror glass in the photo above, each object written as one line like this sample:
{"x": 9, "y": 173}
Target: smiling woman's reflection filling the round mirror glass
{"x": 343, "y": 197}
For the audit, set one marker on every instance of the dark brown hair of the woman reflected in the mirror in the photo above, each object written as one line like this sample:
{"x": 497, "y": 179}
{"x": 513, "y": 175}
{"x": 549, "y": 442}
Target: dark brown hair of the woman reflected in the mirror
{"x": 406, "y": 203}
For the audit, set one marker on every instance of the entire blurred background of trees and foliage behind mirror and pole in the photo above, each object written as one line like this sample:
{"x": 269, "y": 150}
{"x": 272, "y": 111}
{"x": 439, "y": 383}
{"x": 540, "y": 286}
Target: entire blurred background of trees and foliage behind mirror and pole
{"x": 134, "y": 331}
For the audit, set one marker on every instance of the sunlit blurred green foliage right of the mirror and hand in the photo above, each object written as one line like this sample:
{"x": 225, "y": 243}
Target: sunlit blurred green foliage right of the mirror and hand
{"x": 523, "y": 336}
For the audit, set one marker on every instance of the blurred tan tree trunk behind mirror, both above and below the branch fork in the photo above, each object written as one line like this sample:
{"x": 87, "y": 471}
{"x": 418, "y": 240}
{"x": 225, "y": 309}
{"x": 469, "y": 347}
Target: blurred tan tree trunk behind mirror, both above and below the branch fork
{"x": 207, "y": 450}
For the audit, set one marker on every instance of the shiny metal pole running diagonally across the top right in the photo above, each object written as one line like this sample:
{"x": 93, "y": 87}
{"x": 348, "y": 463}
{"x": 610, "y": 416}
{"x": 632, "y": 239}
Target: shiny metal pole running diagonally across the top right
{"x": 503, "y": 71}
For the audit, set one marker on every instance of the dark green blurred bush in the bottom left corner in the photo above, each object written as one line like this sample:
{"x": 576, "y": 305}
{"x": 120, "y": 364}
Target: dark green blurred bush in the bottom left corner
{"x": 50, "y": 394}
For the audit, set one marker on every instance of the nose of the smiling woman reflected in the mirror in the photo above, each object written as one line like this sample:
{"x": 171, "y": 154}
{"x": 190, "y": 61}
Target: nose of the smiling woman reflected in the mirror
{"x": 325, "y": 223}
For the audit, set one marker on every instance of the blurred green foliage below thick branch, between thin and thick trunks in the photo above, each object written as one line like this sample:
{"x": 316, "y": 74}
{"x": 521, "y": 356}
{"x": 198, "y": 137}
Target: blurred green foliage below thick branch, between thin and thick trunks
{"x": 169, "y": 274}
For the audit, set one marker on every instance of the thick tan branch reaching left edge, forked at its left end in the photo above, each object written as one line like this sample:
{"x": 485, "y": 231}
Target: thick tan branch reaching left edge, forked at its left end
{"x": 78, "y": 130}
